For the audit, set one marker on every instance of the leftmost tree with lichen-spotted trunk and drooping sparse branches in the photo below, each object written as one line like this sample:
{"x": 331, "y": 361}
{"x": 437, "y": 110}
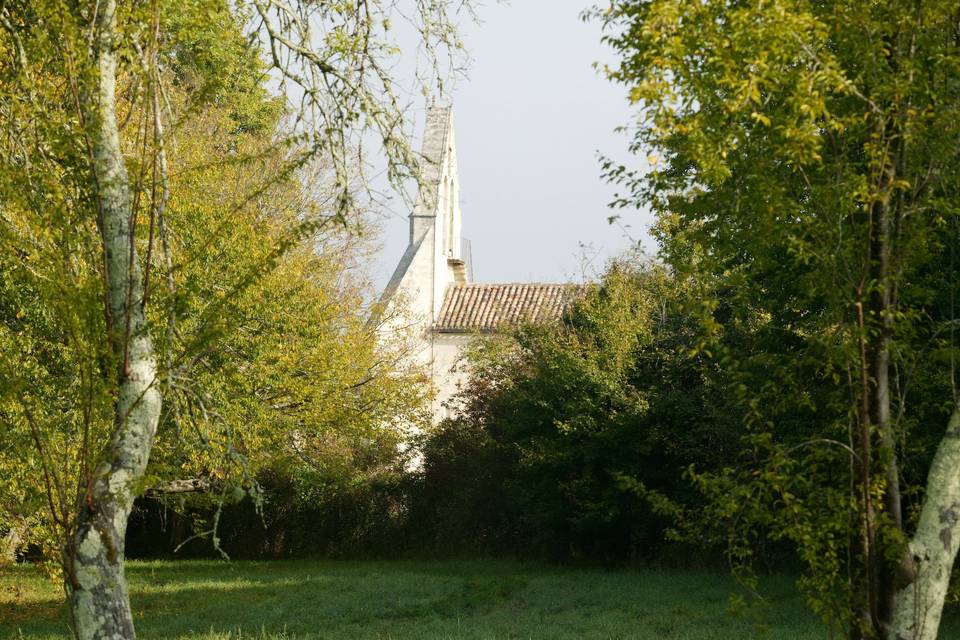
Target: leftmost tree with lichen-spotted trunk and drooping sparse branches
{"x": 85, "y": 190}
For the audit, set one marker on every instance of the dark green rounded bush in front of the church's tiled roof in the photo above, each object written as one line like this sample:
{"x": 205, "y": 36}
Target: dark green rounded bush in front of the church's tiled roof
{"x": 560, "y": 420}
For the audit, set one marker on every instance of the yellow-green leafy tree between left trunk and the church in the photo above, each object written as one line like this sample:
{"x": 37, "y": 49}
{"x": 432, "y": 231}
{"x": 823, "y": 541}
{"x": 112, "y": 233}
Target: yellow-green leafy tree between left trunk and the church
{"x": 274, "y": 374}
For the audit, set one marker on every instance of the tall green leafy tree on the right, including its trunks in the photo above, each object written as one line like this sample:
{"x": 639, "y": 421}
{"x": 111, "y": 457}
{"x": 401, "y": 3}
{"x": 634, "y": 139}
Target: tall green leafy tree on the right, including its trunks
{"x": 805, "y": 155}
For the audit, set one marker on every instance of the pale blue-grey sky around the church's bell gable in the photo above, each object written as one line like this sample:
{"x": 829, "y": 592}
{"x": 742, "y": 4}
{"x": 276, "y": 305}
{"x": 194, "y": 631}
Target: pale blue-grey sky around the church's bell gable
{"x": 530, "y": 119}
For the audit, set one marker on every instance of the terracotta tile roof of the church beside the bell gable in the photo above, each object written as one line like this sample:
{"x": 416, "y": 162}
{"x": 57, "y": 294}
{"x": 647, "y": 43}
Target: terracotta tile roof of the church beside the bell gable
{"x": 488, "y": 307}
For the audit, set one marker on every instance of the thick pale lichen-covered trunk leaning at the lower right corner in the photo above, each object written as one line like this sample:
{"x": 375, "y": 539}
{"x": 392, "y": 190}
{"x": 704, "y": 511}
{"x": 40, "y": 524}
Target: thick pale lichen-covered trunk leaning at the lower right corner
{"x": 933, "y": 549}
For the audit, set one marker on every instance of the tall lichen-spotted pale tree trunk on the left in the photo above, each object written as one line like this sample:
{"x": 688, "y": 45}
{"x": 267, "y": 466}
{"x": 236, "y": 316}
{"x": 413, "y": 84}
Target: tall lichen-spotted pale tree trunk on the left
{"x": 93, "y": 558}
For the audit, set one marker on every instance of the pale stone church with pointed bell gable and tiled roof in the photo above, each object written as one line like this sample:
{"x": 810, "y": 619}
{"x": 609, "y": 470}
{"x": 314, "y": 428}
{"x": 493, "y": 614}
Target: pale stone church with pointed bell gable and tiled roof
{"x": 433, "y": 286}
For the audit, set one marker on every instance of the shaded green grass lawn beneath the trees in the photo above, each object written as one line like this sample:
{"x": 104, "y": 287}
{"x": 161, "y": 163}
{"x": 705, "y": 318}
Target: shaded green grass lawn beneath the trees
{"x": 411, "y": 599}
